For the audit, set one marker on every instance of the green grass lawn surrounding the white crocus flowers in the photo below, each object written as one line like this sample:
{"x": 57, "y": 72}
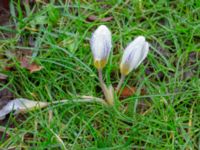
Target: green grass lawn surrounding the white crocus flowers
{"x": 61, "y": 46}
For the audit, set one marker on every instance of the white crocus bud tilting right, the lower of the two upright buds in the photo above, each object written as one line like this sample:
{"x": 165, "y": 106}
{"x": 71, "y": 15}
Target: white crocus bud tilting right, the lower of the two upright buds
{"x": 134, "y": 54}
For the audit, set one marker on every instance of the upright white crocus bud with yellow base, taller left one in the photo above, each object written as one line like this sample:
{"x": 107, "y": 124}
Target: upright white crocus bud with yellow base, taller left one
{"x": 101, "y": 44}
